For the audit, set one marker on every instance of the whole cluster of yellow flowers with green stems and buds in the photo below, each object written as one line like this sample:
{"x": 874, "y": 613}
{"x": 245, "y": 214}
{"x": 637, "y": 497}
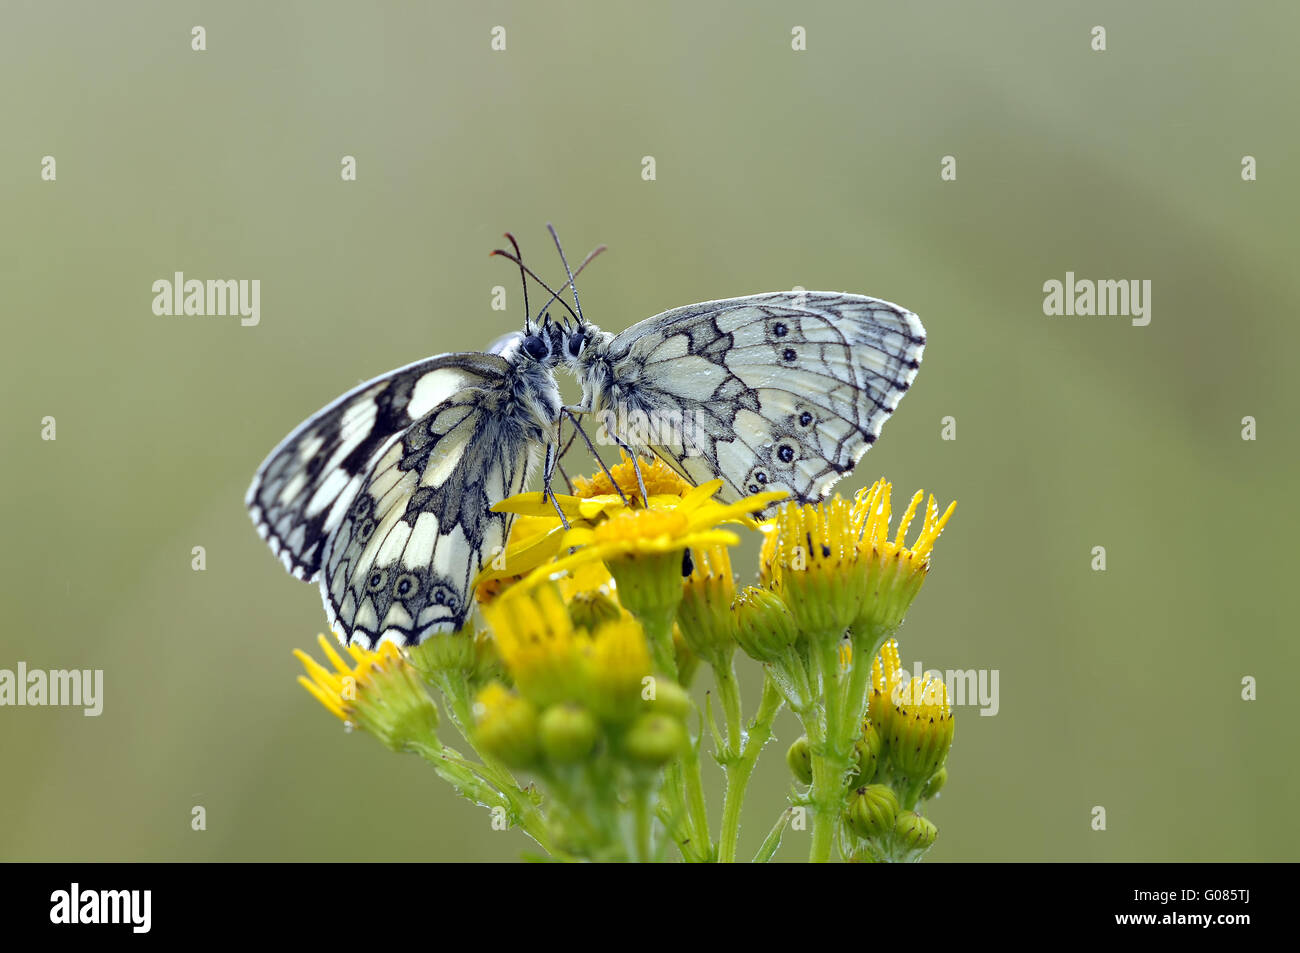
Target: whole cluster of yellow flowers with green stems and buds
{"x": 591, "y": 627}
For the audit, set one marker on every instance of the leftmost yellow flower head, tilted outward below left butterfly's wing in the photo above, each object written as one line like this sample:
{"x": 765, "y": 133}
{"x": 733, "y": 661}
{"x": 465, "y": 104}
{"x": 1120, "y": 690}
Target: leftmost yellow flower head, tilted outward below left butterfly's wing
{"x": 383, "y": 694}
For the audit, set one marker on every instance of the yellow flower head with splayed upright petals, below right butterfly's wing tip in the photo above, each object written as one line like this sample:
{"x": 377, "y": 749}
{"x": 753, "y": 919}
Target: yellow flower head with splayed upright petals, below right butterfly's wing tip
{"x": 895, "y": 571}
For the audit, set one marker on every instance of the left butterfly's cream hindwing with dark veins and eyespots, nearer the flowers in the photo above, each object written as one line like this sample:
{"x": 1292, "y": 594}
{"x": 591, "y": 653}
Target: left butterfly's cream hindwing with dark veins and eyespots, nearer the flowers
{"x": 402, "y": 562}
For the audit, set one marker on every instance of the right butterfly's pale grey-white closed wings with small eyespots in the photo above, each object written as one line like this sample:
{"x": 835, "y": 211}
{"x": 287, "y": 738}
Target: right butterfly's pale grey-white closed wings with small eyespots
{"x": 782, "y": 391}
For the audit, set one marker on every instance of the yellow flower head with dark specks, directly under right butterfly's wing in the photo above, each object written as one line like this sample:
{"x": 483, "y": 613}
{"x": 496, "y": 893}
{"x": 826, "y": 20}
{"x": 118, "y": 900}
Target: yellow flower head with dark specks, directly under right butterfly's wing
{"x": 811, "y": 560}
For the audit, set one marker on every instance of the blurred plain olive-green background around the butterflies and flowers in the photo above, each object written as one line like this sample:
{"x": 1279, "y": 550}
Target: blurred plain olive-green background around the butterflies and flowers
{"x": 775, "y": 168}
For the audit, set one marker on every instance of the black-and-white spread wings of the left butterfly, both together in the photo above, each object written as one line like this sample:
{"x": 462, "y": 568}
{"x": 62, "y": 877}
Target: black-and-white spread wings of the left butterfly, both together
{"x": 384, "y": 497}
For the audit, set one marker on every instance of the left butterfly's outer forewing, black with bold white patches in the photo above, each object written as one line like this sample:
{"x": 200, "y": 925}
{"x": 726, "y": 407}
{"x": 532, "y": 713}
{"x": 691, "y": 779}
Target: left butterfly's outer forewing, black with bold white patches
{"x": 306, "y": 486}
